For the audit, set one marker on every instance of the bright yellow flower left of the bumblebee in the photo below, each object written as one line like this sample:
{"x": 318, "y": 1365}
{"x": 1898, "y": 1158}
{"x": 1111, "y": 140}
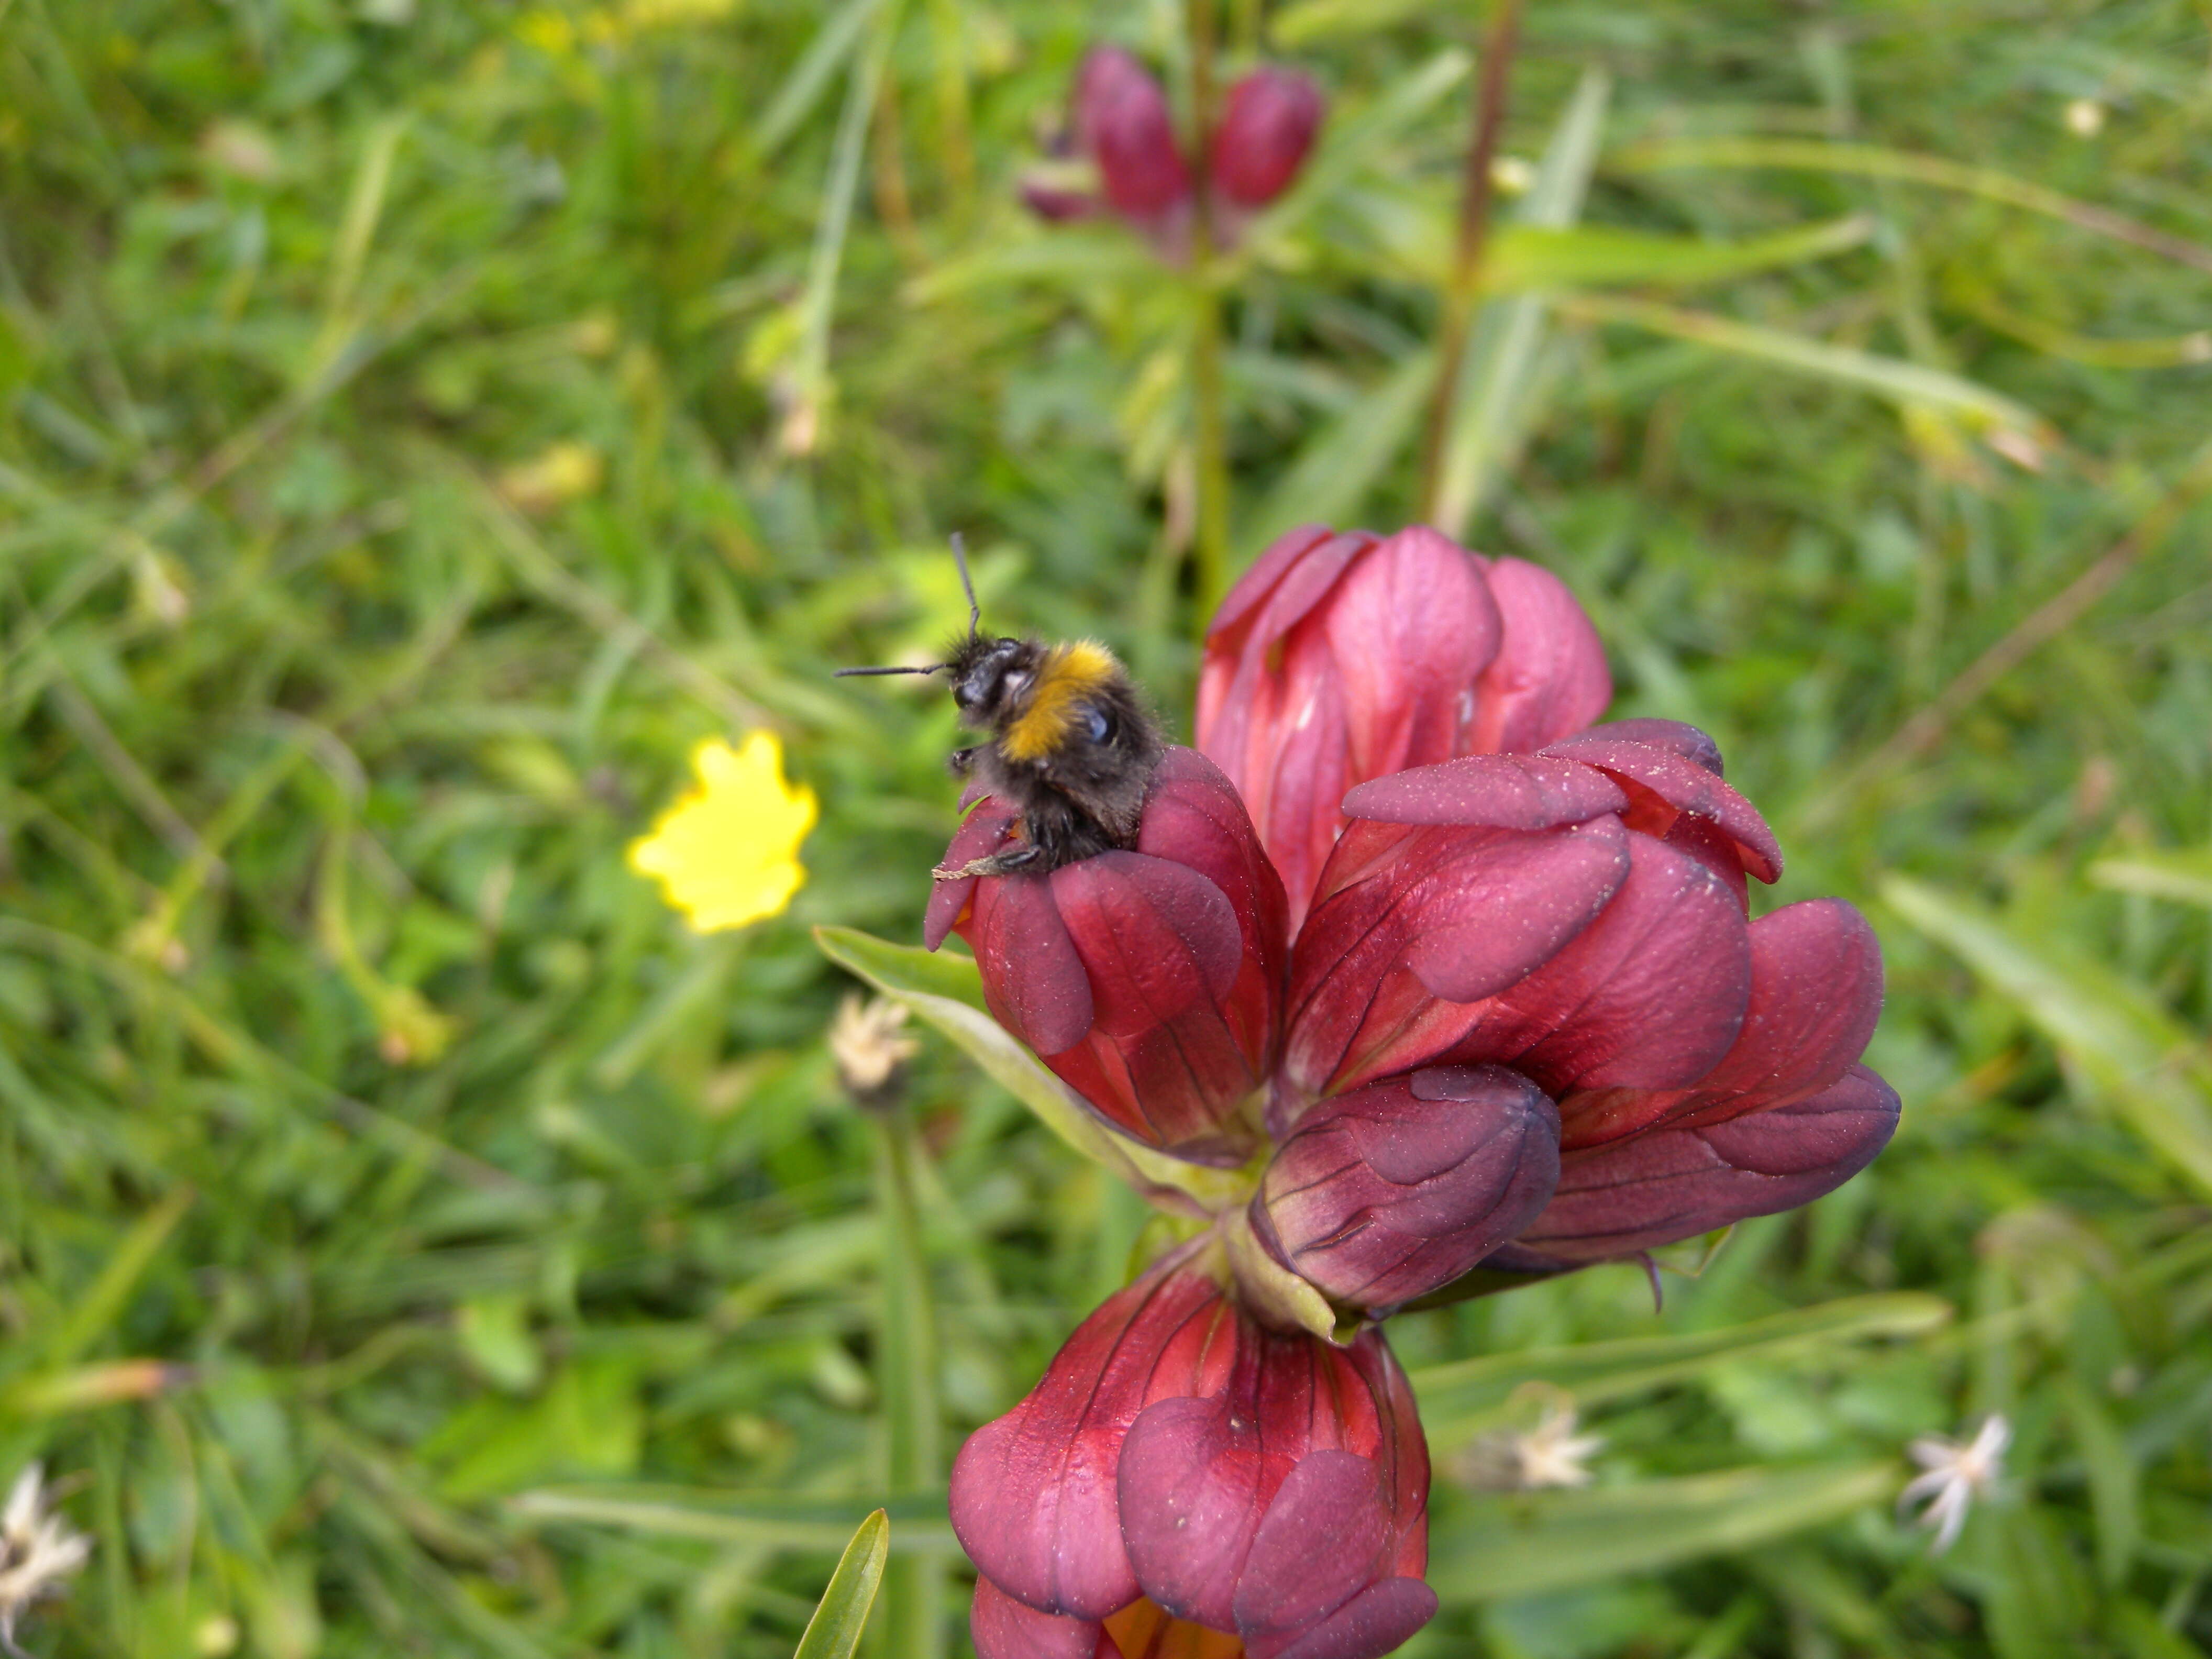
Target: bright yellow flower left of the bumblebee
{"x": 727, "y": 853}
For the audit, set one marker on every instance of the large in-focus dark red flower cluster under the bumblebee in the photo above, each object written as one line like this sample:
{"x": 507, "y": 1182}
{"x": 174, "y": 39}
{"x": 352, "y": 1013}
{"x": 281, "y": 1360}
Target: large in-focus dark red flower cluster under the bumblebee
{"x": 1472, "y": 985}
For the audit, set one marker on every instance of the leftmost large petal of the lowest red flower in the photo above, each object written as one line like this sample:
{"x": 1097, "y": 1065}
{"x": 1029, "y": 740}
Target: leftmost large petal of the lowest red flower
{"x": 1034, "y": 1492}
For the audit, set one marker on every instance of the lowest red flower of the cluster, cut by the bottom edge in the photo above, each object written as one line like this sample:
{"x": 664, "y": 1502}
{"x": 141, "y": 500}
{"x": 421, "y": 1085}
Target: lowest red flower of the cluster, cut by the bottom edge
{"x": 1182, "y": 1465}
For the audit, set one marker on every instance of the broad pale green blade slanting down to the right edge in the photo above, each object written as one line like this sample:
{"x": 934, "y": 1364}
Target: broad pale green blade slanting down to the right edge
{"x": 2131, "y": 1052}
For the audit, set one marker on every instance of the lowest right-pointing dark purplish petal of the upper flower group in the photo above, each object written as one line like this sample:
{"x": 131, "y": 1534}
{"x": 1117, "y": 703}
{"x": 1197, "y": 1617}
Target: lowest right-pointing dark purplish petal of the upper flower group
{"x": 1680, "y": 1182}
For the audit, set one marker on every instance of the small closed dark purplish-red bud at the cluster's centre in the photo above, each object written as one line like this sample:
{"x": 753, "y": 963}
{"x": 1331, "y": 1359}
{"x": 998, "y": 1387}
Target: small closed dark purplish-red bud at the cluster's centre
{"x": 1404, "y": 1187}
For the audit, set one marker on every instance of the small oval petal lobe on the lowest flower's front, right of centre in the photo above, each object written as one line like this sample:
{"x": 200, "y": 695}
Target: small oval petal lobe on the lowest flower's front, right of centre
{"x": 1322, "y": 1543}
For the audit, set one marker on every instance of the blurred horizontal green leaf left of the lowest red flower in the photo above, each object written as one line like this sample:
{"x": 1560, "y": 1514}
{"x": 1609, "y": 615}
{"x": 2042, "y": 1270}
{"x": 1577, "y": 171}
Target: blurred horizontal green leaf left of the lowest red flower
{"x": 778, "y": 1521}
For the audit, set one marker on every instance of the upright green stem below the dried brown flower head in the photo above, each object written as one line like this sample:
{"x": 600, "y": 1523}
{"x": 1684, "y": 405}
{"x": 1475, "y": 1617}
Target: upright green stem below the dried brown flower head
{"x": 908, "y": 1375}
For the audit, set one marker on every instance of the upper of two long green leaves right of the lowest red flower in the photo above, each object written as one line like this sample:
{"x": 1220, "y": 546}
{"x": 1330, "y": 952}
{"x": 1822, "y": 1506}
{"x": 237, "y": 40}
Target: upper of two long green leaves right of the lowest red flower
{"x": 1459, "y": 1401}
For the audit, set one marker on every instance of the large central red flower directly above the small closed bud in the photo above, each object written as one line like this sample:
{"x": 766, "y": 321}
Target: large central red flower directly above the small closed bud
{"x": 1494, "y": 910}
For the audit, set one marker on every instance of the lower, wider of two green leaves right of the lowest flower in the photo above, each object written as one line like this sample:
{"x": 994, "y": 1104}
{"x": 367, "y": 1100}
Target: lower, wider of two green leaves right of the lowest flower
{"x": 1534, "y": 1543}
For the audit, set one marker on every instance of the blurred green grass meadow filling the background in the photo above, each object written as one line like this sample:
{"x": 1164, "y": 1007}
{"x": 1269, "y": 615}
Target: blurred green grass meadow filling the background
{"x": 421, "y": 424}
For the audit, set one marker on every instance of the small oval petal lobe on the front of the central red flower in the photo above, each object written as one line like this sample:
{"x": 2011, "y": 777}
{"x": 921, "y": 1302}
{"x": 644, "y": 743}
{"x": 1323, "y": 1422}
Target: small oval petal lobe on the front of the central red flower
{"x": 1510, "y": 906}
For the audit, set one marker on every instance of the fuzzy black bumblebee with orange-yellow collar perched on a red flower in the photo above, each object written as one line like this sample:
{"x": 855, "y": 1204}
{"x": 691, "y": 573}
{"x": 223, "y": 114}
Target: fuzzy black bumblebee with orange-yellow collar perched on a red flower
{"x": 1072, "y": 747}
